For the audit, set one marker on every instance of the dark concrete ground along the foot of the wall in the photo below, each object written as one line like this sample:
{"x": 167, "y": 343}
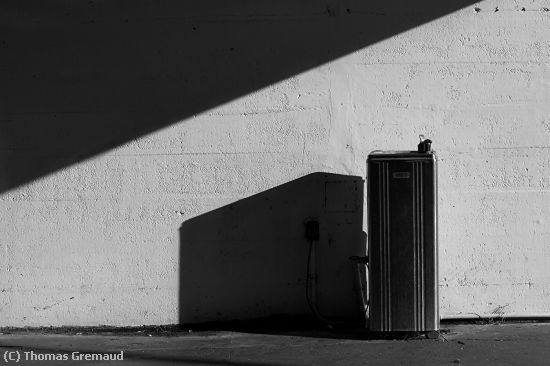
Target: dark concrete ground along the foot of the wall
{"x": 489, "y": 344}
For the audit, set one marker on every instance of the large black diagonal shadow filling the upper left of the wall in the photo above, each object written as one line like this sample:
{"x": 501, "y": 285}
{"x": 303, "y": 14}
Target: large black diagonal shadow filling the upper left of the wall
{"x": 82, "y": 77}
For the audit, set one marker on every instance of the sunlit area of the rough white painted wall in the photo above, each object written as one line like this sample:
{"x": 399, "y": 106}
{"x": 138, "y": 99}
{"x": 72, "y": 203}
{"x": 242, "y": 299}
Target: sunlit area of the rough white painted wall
{"x": 97, "y": 242}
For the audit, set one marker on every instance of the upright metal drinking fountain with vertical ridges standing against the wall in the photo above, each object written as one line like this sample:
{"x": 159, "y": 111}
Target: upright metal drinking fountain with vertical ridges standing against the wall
{"x": 402, "y": 240}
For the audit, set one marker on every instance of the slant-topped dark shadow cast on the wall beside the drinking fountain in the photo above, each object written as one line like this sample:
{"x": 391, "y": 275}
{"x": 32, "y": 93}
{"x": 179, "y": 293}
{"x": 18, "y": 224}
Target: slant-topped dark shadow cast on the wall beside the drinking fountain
{"x": 248, "y": 259}
